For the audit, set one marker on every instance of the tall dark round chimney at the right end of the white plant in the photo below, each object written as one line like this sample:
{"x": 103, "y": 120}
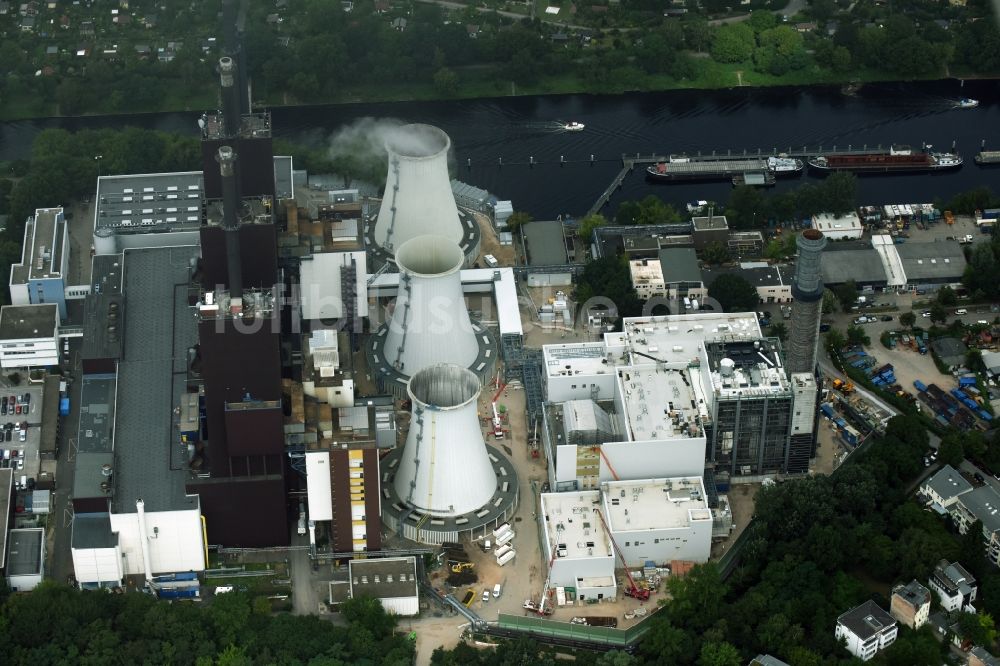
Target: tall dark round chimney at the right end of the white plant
{"x": 807, "y": 304}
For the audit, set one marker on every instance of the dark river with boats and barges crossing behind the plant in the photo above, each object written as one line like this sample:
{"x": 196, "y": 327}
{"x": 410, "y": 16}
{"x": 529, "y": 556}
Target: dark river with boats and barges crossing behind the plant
{"x": 517, "y": 129}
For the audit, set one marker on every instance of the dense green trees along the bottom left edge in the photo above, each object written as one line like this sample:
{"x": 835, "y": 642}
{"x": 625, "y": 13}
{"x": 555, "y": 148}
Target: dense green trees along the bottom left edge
{"x": 56, "y": 624}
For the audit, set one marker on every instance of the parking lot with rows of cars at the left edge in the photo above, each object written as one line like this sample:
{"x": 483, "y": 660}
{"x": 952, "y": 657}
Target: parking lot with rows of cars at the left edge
{"x": 20, "y": 418}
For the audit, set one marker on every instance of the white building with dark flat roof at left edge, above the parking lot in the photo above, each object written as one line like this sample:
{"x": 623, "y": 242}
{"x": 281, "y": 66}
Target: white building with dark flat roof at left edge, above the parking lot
{"x": 29, "y": 336}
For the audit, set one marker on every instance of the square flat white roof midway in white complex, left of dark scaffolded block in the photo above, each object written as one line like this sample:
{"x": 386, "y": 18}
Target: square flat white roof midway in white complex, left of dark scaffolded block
{"x": 660, "y": 403}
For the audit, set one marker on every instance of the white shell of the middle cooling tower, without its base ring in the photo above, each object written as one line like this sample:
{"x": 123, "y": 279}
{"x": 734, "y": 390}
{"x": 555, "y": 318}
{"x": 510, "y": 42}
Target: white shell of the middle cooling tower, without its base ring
{"x": 430, "y": 323}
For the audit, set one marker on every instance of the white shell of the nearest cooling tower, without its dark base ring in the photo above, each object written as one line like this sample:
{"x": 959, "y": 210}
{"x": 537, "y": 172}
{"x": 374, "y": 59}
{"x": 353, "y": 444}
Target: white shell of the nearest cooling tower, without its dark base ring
{"x": 445, "y": 469}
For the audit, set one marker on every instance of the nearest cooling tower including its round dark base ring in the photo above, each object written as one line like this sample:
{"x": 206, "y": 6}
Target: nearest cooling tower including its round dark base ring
{"x": 446, "y": 481}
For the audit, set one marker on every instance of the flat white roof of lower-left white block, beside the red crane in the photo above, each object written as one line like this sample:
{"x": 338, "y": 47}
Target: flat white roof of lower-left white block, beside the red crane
{"x": 572, "y": 525}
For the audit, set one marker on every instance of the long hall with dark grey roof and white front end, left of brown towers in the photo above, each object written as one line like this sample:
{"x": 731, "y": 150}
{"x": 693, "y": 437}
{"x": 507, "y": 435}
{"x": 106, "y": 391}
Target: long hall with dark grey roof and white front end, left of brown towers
{"x": 132, "y": 514}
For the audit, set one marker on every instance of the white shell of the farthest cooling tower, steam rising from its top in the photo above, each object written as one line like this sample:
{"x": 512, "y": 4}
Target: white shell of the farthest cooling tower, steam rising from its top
{"x": 418, "y": 197}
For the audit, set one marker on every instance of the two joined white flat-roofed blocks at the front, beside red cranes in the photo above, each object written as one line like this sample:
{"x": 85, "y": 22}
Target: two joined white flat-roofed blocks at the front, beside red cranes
{"x": 661, "y": 520}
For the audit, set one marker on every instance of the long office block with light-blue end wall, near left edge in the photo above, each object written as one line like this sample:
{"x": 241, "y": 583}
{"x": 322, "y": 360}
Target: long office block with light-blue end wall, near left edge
{"x": 41, "y": 275}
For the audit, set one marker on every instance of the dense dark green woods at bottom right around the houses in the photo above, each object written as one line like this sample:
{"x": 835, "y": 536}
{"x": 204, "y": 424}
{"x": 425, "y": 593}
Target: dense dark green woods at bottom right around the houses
{"x": 818, "y": 547}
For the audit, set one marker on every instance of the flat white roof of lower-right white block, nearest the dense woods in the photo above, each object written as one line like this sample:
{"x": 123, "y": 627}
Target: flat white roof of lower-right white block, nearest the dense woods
{"x": 655, "y": 503}
